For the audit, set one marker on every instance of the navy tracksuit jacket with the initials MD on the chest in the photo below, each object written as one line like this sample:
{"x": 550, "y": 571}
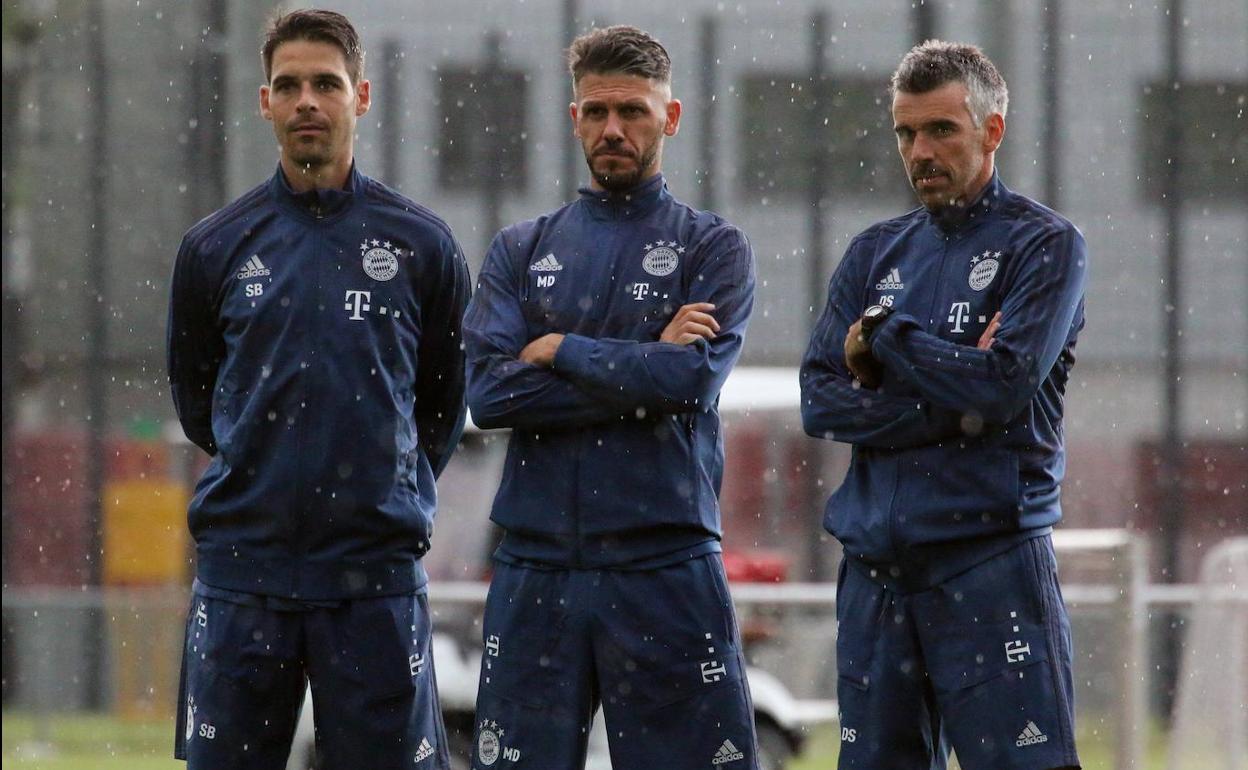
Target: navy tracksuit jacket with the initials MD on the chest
{"x": 616, "y": 454}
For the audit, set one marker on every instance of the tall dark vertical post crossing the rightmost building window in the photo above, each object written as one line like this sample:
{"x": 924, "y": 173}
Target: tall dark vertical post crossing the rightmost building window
{"x": 1171, "y": 499}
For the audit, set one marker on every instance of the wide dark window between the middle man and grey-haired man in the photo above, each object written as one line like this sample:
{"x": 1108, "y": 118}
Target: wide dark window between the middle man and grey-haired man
{"x": 787, "y": 118}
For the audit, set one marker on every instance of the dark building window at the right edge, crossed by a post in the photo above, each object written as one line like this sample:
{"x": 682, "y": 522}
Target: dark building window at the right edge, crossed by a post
{"x": 1215, "y": 137}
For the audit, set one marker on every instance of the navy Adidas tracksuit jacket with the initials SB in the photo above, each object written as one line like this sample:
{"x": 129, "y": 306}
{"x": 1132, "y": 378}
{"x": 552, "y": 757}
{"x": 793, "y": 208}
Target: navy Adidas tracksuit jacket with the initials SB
{"x": 315, "y": 354}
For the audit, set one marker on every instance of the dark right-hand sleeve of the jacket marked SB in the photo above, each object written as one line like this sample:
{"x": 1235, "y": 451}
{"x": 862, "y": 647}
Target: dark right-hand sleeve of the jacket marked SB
{"x": 440, "y": 387}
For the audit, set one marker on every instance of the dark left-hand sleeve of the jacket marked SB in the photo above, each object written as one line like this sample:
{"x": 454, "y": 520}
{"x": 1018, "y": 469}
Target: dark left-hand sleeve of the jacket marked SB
{"x": 195, "y": 348}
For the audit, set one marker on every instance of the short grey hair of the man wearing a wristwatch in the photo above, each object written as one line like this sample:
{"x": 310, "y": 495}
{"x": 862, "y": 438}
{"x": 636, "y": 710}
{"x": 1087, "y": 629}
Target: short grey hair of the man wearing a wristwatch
{"x": 935, "y": 63}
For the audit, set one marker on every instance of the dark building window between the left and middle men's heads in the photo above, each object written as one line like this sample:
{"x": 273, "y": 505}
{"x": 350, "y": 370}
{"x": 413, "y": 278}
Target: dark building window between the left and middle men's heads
{"x": 482, "y": 138}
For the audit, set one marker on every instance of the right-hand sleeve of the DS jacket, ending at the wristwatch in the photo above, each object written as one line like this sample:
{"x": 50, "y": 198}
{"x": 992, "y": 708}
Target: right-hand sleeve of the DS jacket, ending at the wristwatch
{"x": 1040, "y": 311}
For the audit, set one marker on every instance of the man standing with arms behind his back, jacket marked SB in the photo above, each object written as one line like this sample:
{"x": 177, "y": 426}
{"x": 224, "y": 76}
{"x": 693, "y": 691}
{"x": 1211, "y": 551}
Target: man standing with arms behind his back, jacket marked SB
{"x": 315, "y": 354}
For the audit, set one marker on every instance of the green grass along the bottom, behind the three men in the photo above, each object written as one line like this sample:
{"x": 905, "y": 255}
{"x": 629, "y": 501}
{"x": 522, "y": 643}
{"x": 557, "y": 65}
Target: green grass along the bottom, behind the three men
{"x": 109, "y": 743}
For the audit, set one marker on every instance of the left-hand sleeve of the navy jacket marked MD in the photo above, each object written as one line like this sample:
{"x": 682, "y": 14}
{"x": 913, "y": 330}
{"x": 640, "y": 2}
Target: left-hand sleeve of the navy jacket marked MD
{"x": 505, "y": 392}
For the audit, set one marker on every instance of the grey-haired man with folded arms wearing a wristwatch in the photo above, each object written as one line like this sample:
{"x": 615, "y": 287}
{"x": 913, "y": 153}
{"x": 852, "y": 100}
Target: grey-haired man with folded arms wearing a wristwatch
{"x": 943, "y": 358}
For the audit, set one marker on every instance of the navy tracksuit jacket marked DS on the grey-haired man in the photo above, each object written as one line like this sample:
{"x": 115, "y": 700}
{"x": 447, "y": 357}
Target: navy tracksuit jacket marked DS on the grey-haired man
{"x": 960, "y": 452}
